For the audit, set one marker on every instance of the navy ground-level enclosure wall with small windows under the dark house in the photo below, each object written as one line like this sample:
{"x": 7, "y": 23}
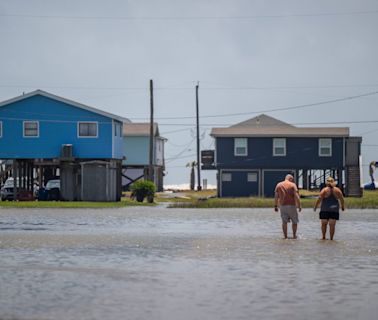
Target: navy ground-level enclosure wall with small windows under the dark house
{"x": 239, "y": 186}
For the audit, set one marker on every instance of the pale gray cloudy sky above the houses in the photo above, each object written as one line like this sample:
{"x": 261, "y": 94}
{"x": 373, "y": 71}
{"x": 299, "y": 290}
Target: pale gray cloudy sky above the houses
{"x": 249, "y": 57}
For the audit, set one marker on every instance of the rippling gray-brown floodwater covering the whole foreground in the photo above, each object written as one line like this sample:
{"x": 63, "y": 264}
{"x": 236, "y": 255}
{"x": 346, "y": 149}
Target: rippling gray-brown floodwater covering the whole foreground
{"x": 158, "y": 263}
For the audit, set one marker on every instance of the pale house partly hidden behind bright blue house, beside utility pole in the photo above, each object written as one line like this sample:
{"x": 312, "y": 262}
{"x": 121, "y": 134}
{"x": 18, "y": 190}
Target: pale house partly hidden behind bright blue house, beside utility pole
{"x": 136, "y": 148}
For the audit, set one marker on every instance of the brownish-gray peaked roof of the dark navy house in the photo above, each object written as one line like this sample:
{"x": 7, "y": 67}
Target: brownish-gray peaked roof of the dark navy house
{"x": 265, "y": 126}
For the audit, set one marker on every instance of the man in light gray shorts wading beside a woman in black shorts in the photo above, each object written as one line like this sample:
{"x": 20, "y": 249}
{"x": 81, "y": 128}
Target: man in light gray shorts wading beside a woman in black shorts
{"x": 287, "y": 199}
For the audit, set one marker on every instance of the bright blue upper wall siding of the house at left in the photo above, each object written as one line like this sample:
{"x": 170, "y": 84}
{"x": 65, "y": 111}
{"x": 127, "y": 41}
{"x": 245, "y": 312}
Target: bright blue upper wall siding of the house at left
{"x": 57, "y": 126}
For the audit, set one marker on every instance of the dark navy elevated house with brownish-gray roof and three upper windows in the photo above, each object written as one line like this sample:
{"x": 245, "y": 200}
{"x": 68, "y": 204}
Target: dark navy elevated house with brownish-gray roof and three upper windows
{"x": 252, "y": 156}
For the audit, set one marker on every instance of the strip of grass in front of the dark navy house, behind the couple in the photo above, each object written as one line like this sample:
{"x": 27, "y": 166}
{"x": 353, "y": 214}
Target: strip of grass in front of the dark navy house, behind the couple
{"x": 369, "y": 200}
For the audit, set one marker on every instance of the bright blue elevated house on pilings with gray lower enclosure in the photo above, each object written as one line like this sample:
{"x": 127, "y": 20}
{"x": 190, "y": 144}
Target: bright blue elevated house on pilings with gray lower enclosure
{"x": 43, "y": 136}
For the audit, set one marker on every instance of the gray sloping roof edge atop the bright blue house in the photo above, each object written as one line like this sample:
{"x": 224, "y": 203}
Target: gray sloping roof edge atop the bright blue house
{"x": 64, "y": 100}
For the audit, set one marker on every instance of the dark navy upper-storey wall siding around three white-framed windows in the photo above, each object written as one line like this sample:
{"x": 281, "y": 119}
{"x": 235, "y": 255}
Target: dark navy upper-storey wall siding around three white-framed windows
{"x": 300, "y": 153}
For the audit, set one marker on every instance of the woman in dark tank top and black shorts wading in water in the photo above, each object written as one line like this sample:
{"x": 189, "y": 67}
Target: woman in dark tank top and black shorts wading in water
{"x": 331, "y": 199}
